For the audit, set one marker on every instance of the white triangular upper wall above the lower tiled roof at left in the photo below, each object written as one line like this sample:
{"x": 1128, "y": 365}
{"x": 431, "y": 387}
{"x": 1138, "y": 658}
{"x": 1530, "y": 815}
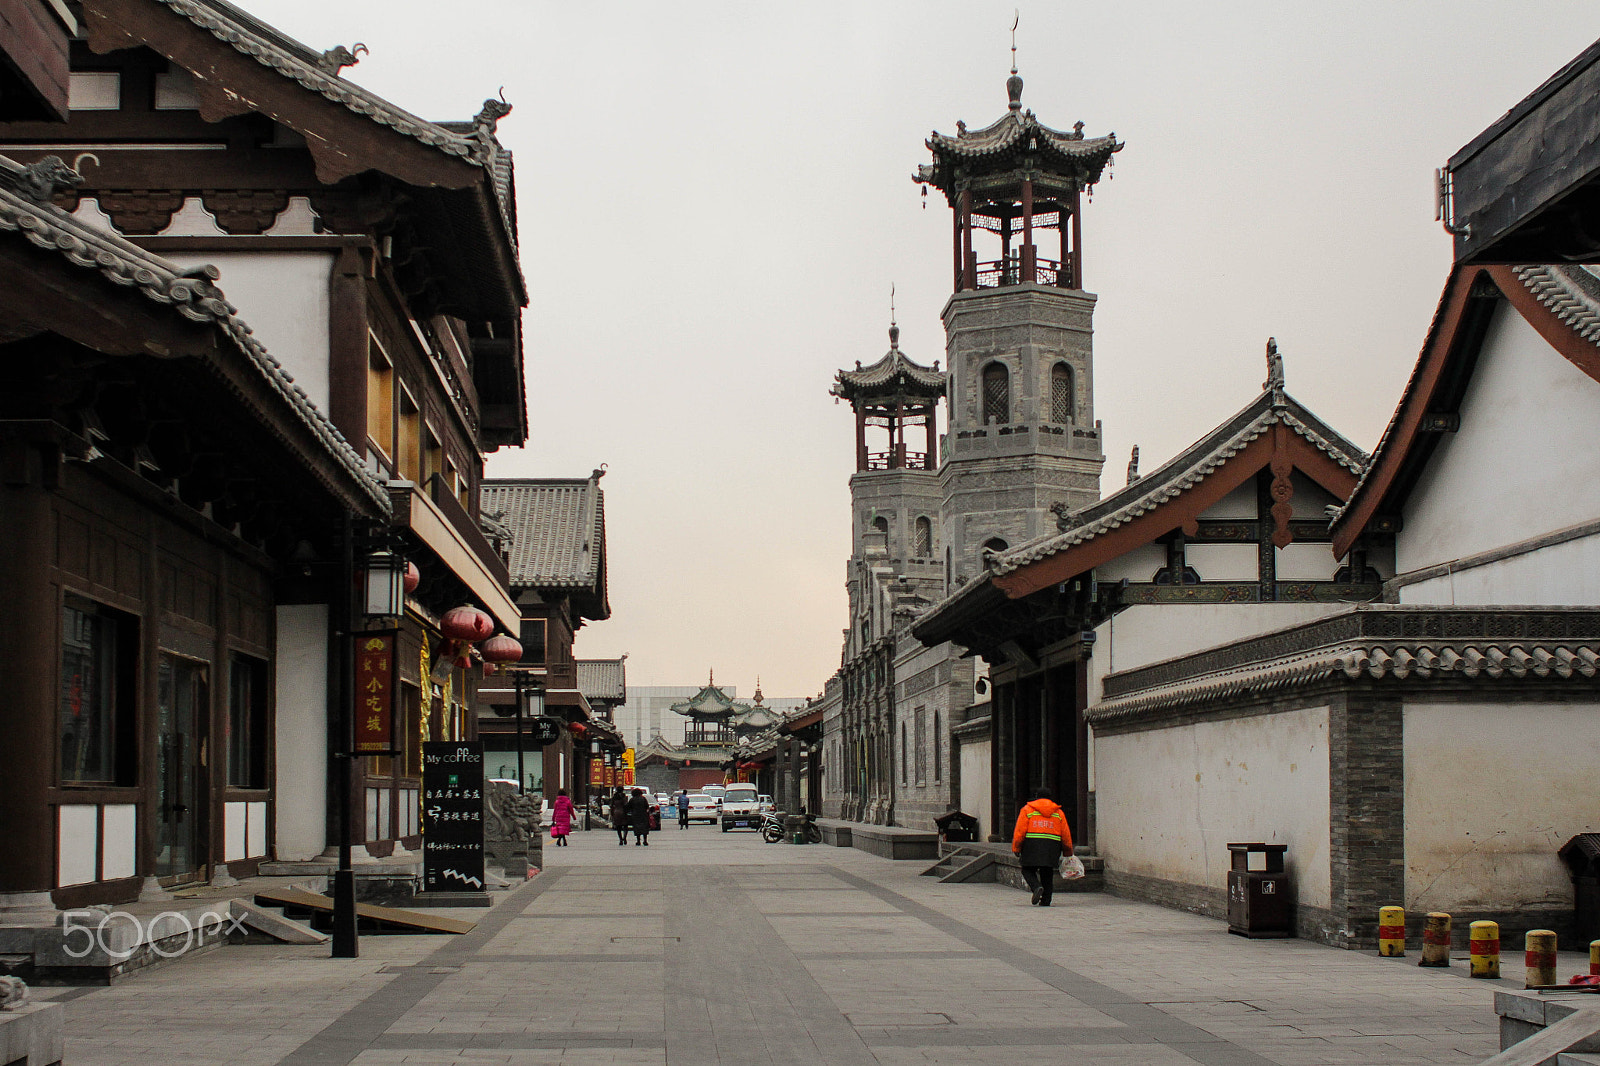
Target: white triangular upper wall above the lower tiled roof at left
{"x": 284, "y": 299}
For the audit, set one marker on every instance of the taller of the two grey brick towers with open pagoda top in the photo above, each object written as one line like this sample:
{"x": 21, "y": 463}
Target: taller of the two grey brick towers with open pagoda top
{"x": 1018, "y": 331}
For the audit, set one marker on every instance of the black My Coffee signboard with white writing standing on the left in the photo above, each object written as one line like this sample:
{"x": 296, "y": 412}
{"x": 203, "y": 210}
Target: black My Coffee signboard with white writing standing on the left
{"x": 454, "y": 817}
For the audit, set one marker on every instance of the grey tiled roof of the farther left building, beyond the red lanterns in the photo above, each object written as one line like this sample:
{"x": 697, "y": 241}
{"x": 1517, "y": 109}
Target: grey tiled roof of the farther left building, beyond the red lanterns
{"x": 558, "y": 531}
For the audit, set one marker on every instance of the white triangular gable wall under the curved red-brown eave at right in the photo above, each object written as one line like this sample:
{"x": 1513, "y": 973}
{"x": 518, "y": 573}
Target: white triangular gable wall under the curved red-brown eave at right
{"x": 1522, "y": 463}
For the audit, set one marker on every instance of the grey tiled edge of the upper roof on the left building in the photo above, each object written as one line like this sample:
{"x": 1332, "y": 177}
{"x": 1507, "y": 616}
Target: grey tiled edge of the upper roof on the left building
{"x": 294, "y": 60}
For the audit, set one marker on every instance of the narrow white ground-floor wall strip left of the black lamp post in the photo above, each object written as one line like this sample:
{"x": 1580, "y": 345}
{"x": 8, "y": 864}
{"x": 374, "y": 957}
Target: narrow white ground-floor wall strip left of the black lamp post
{"x": 302, "y": 734}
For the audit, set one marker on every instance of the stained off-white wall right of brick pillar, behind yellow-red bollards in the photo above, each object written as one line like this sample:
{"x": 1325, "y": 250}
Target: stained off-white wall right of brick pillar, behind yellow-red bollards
{"x": 1478, "y": 840}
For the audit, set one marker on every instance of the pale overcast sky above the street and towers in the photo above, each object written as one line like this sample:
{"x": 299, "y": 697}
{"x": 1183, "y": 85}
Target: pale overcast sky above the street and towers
{"x": 714, "y": 201}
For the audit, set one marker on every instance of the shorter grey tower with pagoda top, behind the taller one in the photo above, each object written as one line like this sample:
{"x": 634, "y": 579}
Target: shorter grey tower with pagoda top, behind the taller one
{"x": 895, "y": 495}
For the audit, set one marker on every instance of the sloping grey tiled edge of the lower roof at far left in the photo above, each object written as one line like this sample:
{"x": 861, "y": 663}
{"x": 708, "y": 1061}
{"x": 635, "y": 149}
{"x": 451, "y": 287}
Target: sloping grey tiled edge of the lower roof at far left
{"x": 188, "y": 294}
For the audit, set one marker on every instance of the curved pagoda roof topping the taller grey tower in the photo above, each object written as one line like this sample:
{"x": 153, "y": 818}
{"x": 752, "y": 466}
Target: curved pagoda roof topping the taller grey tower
{"x": 1006, "y": 143}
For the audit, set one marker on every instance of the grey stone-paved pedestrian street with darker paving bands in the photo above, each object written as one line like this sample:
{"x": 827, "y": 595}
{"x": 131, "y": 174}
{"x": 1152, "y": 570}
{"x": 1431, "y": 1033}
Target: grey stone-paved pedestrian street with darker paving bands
{"x": 711, "y": 948}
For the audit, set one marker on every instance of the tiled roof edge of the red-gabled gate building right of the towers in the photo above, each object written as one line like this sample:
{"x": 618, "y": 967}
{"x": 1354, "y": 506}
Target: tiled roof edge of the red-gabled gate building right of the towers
{"x": 1186, "y": 471}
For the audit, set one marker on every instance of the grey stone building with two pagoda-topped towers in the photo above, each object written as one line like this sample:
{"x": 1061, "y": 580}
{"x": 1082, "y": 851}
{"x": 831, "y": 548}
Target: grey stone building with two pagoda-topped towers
{"x": 1022, "y": 444}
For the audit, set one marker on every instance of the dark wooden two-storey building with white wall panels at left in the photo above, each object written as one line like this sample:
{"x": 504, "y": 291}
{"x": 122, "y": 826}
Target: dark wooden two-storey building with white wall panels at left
{"x": 375, "y": 257}
